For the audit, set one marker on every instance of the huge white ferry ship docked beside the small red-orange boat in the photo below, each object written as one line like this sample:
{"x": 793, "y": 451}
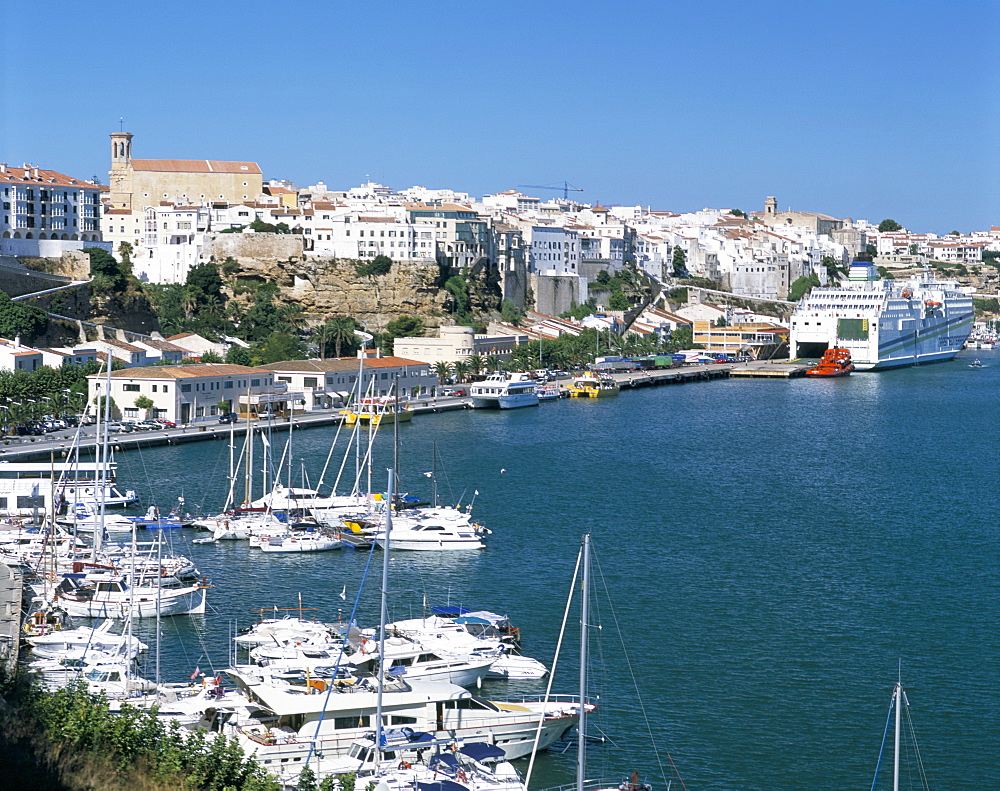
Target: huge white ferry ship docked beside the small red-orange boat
{"x": 883, "y": 323}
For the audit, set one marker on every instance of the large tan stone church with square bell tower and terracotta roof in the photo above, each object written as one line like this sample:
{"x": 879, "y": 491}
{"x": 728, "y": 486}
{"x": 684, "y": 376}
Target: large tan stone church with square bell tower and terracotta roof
{"x": 137, "y": 183}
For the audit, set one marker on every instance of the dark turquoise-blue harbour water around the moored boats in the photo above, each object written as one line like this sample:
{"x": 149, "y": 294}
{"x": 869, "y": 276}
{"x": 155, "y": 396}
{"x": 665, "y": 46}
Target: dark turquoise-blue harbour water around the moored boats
{"x": 768, "y": 553}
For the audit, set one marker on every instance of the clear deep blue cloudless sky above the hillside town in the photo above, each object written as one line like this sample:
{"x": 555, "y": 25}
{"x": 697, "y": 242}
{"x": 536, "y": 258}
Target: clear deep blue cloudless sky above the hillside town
{"x": 868, "y": 110}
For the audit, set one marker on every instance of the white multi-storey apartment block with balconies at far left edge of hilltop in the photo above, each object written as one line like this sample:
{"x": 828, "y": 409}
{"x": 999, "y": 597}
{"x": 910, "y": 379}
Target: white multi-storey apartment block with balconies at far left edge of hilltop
{"x": 46, "y": 213}
